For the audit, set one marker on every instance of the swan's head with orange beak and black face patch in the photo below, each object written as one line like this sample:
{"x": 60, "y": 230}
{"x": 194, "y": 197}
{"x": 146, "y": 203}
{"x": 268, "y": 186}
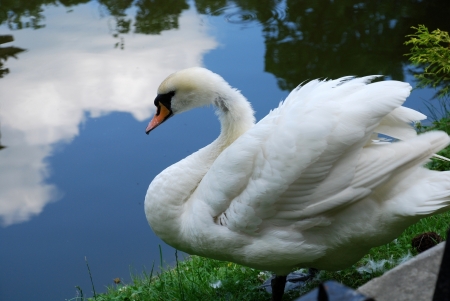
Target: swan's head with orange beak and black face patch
{"x": 185, "y": 90}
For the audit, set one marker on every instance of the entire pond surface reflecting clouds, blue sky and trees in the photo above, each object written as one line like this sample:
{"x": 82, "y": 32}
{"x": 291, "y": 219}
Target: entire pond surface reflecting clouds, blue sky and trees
{"x": 76, "y": 94}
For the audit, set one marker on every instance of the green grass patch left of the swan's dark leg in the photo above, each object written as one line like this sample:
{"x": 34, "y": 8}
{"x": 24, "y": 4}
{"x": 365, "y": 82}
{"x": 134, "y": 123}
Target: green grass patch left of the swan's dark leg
{"x": 194, "y": 278}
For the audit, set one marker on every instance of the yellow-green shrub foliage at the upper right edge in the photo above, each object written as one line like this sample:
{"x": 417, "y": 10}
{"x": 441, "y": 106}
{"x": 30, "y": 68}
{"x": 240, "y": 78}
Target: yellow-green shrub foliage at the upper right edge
{"x": 432, "y": 52}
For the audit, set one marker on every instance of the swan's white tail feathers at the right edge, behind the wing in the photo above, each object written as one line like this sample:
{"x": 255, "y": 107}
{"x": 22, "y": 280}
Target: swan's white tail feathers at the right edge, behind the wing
{"x": 415, "y": 190}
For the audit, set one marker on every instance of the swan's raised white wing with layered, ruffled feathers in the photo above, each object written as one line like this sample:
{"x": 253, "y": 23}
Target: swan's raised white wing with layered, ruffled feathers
{"x": 303, "y": 159}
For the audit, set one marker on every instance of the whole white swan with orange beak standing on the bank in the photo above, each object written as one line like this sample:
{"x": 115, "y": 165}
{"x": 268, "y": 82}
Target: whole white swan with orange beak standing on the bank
{"x": 310, "y": 185}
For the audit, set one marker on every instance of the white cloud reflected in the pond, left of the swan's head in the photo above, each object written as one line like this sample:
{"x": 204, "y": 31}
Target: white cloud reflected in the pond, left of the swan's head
{"x": 66, "y": 75}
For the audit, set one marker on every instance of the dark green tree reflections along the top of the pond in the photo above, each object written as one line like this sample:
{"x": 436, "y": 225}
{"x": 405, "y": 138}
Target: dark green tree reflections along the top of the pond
{"x": 304, "y": 39}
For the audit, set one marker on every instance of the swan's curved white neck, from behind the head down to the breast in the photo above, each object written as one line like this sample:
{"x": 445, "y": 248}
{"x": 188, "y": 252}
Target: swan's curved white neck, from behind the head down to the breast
{"x": 171, "y": 190}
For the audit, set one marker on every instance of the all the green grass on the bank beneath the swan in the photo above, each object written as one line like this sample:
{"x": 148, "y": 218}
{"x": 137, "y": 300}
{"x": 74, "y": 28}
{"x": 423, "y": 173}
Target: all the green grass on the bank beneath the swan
{"x": 197, "y": 278}
